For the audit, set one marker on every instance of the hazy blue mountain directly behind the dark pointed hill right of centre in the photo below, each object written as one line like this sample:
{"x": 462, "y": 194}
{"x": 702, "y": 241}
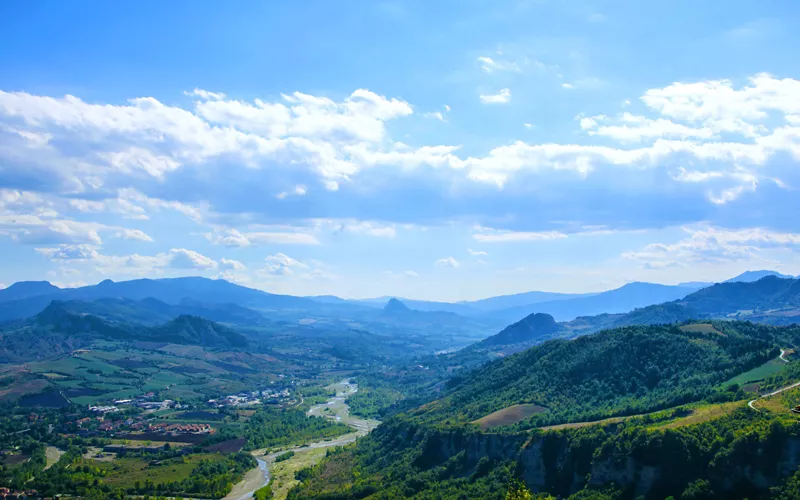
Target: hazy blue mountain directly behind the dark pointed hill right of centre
{"x": 619, "y": 300}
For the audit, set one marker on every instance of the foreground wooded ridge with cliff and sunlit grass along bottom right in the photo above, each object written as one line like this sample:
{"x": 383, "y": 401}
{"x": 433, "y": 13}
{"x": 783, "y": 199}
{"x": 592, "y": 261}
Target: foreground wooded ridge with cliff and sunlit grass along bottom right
{"x": 740, "y": 455}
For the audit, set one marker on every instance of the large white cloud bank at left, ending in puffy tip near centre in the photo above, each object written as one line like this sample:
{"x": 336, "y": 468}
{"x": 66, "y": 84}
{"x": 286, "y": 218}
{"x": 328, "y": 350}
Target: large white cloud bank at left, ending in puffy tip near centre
{"x": 152, "y": 139}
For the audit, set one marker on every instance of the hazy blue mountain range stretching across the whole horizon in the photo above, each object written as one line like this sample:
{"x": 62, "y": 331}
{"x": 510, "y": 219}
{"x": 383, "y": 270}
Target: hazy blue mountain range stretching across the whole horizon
{"x": 149, "y": 301}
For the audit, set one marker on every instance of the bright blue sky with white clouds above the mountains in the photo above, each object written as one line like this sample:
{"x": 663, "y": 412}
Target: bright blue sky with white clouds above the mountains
{"x": 446, "y": 150}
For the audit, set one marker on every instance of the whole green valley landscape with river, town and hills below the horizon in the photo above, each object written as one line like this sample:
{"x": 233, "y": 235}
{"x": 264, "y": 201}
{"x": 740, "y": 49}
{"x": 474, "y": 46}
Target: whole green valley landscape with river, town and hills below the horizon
{"x": 142, "y": 398}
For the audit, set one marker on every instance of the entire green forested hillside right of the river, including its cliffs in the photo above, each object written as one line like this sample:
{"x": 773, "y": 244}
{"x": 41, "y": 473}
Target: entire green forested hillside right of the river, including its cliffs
{"x": 690, "y": 433}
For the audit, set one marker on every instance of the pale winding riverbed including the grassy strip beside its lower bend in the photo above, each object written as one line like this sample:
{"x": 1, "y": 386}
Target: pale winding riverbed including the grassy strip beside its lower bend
{"x": 335, "y": 408}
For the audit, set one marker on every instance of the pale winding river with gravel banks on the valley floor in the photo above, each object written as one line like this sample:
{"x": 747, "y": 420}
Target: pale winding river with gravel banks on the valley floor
{"x": 335, "y": 408}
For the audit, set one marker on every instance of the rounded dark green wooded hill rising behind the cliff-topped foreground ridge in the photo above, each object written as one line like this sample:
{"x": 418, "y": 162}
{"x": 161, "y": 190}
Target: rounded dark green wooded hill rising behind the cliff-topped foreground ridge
{"x": 615, "y": 372}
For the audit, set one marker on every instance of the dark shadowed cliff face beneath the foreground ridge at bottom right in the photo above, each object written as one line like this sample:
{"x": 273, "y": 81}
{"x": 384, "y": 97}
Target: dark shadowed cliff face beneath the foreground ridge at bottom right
{"x": 559, "y": 464}
